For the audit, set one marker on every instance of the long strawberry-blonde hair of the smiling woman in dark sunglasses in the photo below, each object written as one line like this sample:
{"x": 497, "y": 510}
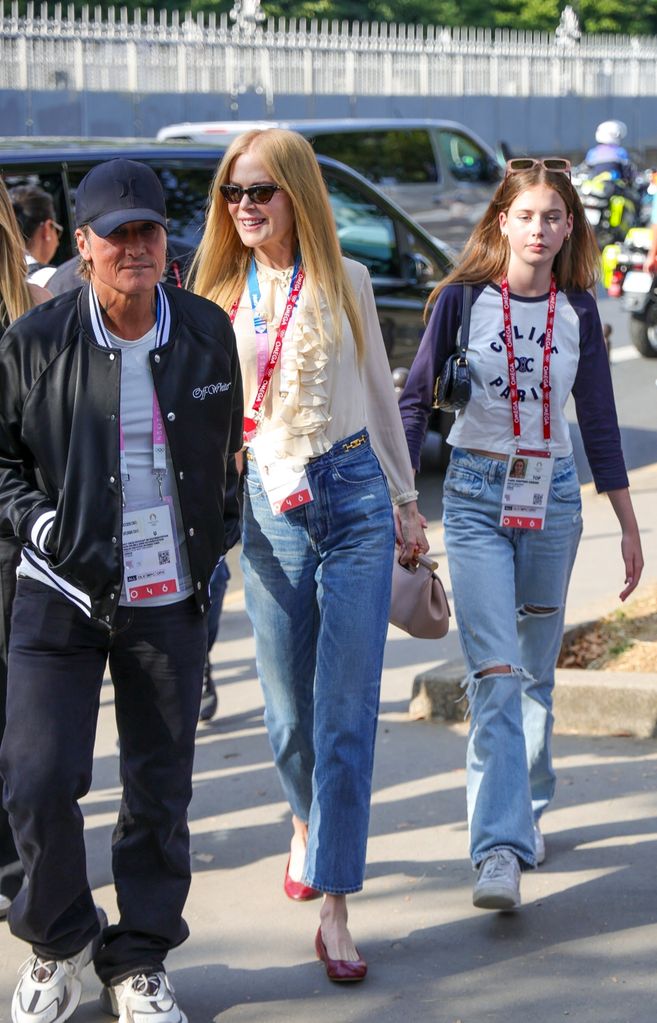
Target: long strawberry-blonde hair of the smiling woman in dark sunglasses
{"x": 222, "y": 264}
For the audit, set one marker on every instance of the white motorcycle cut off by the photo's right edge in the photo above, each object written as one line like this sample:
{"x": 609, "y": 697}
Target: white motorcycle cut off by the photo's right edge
{"x": 639, "y": 291}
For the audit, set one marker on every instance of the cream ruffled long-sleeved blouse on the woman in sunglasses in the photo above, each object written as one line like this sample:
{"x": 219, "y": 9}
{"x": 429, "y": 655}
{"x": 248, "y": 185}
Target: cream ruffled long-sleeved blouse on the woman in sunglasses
{"x": 319, "y": 393}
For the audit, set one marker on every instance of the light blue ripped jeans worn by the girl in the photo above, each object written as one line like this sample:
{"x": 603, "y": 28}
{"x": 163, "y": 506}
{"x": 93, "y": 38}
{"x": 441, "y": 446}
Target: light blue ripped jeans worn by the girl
{"x": 510, "y": 593}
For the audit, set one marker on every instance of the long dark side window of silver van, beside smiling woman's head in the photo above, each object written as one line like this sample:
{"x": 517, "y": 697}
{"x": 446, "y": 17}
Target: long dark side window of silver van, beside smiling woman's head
{"x": 386, "y": 158}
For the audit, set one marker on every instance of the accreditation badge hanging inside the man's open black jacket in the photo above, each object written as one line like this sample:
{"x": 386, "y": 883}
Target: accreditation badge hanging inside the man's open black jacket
{"x": 150, "y": 553}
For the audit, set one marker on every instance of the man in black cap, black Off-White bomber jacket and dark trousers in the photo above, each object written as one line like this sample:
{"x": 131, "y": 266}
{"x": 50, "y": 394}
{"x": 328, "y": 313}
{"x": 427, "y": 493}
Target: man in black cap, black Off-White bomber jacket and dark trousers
{"x": 120, "y": 408}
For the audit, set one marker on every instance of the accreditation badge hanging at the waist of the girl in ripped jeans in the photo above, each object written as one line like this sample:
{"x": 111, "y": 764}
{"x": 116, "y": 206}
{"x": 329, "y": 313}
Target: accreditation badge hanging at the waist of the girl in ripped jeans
{"x": 527, "y": 490}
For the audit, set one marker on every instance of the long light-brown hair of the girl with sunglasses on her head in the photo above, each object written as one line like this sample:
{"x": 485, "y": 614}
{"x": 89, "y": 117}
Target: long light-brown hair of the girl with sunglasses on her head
{"x": 486, "y": 257}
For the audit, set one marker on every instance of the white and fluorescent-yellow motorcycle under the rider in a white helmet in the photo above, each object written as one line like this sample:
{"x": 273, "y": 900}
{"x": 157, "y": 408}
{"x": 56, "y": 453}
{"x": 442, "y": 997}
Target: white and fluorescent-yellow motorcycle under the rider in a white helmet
{"x": 611, "y": 206}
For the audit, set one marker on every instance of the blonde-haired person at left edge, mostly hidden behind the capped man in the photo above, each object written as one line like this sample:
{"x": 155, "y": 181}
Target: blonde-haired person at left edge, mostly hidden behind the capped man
{"x": 17, "y": 297}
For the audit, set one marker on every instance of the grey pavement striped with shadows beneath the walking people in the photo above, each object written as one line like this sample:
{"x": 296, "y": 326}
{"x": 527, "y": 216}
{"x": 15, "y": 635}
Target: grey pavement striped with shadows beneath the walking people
{"x": 584, "y": 946}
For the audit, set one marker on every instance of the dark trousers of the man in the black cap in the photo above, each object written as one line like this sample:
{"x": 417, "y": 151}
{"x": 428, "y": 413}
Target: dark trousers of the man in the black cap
{"x": 57, "y": 663}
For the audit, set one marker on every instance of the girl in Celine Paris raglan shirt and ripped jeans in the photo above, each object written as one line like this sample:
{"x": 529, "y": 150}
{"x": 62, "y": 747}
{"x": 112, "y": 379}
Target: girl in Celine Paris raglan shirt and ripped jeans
{"x": 536, "y": 338}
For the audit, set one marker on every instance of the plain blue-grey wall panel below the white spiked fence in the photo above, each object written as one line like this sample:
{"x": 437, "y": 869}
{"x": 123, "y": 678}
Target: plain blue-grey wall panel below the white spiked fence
{"x": 528, "y": 124}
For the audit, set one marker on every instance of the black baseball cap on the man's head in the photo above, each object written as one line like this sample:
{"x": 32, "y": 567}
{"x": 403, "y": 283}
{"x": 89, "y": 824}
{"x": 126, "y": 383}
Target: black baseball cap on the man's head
{"x": 117, "y": 193}
